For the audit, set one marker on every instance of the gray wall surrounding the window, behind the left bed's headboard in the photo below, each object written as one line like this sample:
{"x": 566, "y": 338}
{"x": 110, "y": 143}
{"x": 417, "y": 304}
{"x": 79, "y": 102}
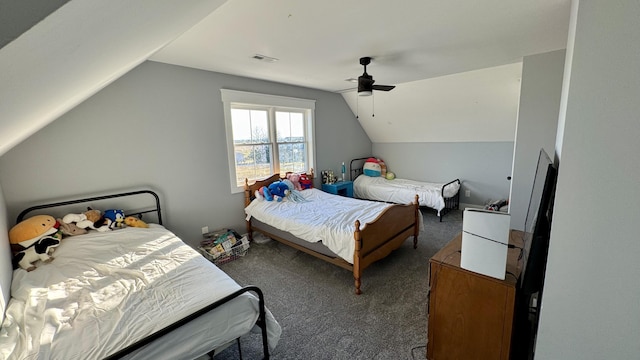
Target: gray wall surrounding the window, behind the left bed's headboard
{"x": 161, "y": 126}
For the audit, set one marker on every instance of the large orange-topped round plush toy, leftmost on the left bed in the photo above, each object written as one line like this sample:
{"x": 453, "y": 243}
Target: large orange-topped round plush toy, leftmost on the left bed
{"x": 33, "y": 239}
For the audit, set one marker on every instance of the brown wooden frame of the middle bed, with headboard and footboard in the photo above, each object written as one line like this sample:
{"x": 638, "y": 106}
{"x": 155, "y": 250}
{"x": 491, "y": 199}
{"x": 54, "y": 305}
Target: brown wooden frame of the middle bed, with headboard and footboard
{"x": 373, "y": 242}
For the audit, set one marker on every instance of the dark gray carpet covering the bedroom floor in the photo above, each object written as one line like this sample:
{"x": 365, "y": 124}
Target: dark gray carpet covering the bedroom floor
{"x": 320, "y": 315}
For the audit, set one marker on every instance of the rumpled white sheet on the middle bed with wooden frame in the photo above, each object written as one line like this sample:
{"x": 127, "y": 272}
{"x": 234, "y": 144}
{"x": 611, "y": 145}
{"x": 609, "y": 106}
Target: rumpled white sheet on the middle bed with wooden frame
{"x": 324, "y": 217}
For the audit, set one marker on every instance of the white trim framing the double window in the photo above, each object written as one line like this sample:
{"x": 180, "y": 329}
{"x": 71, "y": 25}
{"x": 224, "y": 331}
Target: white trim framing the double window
{"x": 249, "y": 98}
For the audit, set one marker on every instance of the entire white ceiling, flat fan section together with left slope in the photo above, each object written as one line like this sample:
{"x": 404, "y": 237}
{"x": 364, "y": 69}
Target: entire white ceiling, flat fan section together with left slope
{"x": 84, "y": 45}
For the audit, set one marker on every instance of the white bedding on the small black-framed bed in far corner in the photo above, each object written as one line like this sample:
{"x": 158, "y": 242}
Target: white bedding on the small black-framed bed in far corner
{"x": 402, "y": 191}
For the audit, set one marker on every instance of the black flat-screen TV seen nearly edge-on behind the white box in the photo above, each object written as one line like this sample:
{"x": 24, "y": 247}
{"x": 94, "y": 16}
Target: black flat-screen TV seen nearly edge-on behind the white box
{"x": 538, "y": 226}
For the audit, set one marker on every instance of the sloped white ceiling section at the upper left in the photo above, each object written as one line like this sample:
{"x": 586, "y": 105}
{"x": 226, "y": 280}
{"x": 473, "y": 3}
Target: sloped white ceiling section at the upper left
{"x": 79, "y": 49}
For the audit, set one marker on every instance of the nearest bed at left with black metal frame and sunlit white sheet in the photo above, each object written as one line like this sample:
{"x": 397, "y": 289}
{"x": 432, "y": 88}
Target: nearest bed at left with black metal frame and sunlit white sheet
{"x": 132, "y": 293}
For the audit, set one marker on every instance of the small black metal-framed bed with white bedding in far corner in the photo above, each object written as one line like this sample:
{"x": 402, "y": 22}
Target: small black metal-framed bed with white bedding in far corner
{"x": 443, "y": 197}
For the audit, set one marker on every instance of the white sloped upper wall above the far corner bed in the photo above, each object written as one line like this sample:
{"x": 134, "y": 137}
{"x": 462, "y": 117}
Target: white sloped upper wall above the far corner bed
{"x": 474, "y": 106}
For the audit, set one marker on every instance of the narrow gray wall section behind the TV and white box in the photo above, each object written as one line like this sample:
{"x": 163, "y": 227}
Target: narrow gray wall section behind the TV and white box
{"x": 537, "y": 125}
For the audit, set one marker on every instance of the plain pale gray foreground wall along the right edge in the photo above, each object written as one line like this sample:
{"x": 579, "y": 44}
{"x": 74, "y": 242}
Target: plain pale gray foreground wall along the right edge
{"x": 590, "y": 302}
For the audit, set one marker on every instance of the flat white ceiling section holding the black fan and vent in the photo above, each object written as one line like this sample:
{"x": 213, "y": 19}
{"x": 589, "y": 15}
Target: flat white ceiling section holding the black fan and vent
{"x": 319, "y": 43}
